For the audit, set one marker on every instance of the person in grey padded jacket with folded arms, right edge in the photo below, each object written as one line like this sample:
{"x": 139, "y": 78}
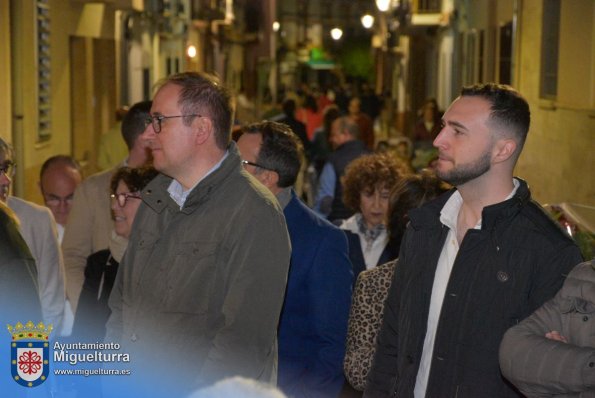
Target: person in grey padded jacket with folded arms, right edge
{"x": 552, "y": 353}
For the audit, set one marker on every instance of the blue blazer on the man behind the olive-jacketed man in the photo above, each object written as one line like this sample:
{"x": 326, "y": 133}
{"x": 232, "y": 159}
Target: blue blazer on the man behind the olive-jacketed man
{"x": 313, "y": 324}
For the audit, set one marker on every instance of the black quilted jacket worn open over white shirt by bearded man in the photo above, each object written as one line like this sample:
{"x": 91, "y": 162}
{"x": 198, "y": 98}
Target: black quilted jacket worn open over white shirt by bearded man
{"x": 502, "y": 273}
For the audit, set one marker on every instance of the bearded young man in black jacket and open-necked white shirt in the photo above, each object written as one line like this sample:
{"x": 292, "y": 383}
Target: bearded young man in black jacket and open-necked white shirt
{"x": 472, "y": 263}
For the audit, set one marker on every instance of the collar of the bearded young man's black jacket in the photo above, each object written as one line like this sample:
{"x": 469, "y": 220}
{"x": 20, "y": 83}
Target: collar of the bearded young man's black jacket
{"x": 429, "y": 214}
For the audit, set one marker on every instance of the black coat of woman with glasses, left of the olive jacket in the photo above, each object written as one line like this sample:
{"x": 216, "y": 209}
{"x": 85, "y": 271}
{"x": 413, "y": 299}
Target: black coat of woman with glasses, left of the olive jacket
{"x": 92, "y": 311}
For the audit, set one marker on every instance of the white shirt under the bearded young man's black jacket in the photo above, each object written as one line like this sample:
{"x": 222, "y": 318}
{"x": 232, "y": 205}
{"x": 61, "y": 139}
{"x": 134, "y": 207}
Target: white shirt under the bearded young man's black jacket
{"x": 448, "y": 216}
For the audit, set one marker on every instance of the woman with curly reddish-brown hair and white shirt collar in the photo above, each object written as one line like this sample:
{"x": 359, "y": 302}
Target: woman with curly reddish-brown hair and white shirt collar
{"x": 367, "y": 184}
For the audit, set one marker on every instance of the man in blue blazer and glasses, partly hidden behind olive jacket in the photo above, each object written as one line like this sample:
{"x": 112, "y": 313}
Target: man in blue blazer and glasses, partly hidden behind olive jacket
{"x": 313, "y": 325}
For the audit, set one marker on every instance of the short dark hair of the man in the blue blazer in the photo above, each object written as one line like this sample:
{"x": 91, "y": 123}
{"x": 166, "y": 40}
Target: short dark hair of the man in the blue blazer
{"x": 281, "y": 150}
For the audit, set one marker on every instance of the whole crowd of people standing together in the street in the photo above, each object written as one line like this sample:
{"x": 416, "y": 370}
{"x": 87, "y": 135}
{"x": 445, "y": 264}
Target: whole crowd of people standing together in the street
{"x": 297, "y": 252}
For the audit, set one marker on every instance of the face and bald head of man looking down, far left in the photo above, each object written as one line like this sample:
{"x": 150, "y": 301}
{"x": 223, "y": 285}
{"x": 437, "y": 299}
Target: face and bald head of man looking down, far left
{"x": 57, "y": 187}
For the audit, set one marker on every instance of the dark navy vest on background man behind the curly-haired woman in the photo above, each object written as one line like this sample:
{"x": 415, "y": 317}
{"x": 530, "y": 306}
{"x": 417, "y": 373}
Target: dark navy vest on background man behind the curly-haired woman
{"x": 339, "y": 159}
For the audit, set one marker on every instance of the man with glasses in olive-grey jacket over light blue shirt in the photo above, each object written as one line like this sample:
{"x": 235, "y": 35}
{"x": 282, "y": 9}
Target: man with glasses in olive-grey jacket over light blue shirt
{"x": 201, "y": 286}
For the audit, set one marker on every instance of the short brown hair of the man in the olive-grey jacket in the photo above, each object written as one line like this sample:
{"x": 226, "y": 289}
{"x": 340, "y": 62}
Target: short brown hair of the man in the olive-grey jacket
{"x": 203, "y": 94}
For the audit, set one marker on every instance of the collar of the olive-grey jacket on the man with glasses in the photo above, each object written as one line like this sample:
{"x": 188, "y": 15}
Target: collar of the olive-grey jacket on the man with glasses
{"x": 155, "y": 194}
